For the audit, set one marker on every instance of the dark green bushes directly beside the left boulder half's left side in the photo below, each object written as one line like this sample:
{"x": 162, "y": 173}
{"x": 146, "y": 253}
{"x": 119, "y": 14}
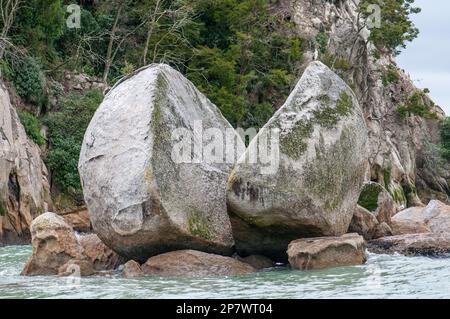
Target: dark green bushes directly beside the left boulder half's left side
{"x": 66, "y": 129}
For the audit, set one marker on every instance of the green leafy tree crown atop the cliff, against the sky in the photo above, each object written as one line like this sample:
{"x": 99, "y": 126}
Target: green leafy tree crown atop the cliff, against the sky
{"x": 396, "y": 26}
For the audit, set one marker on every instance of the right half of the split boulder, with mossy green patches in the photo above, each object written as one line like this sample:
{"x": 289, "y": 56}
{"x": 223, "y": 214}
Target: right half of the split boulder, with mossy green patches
{"x": 322, "y": 163}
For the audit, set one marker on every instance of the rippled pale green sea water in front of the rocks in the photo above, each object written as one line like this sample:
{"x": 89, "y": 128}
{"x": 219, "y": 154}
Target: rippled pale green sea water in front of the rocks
{"x": 383, "y": 276}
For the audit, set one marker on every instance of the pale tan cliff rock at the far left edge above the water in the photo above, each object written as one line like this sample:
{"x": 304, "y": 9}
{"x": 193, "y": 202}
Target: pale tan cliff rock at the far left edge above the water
{"x": 24, "y": 188}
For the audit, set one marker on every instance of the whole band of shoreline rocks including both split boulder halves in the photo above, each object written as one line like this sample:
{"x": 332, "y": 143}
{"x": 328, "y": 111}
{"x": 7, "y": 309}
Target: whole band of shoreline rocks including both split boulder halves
{"x": 154, "y": 216}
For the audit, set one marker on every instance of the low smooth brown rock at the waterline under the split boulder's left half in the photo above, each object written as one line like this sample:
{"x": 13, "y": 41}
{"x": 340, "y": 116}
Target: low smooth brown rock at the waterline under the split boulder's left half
{"x": 191, "y": 263}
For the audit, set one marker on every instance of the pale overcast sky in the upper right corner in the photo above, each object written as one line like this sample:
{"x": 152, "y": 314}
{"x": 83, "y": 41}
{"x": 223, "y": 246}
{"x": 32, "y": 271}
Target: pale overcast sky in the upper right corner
{"x": 427, "y": 58}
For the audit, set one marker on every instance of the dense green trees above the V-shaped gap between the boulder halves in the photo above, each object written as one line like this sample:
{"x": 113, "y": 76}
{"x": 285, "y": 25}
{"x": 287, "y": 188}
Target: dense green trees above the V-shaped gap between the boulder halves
{"x": 245, "y": 59}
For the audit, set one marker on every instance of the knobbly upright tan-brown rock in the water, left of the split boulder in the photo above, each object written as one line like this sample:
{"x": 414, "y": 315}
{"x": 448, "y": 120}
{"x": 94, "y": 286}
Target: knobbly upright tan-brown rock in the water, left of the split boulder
{"x": 54, "y": 245}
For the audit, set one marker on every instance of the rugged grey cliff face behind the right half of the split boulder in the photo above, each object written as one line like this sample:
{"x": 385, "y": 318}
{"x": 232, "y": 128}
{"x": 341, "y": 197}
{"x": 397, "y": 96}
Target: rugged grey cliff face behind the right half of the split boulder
{"x": 401, "y": 150}
